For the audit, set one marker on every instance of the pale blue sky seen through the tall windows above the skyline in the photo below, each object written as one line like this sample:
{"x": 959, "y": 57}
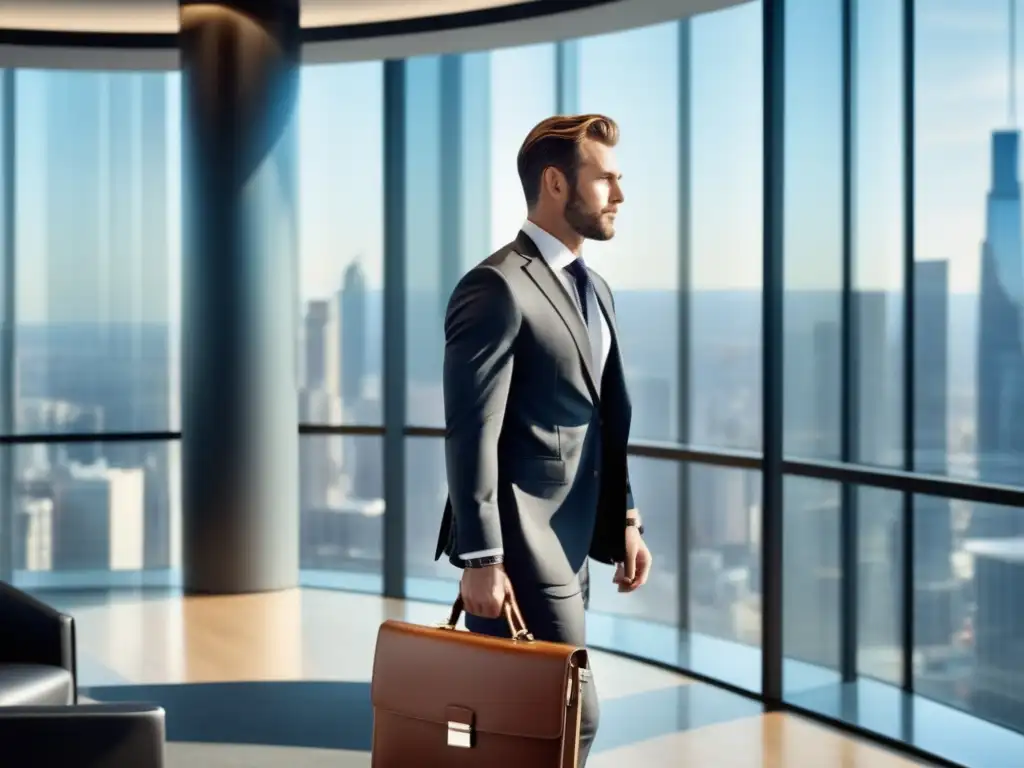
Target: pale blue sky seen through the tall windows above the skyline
{"x": 962, "y": 88}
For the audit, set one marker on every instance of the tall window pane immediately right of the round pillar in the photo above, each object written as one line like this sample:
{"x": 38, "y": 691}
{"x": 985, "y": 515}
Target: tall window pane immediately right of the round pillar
{"x": 342, "y": 242}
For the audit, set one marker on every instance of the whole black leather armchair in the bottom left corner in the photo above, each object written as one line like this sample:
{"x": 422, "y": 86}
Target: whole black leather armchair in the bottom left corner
{"x": 41, "y": 723}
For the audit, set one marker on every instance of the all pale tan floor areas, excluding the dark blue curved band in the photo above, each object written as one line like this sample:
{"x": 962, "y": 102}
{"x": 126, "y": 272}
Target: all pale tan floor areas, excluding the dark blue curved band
{"x": 330, "y": 636}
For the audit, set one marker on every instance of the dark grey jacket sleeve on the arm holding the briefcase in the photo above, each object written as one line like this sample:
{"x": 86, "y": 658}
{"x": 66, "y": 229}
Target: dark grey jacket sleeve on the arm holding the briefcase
{"x": 481, "y": 328}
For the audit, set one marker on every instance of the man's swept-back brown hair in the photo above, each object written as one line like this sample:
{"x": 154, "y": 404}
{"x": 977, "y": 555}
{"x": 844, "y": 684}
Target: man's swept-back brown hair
{"x": 556, "y": 143}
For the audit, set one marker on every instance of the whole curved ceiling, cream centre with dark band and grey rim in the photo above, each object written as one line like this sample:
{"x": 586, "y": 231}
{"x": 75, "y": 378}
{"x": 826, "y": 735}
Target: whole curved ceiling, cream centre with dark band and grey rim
{"x": 28, "y": 29}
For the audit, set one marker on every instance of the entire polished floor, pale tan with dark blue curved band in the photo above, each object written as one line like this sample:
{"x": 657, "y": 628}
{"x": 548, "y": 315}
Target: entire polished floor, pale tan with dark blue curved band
{"x": 283, "y": 679}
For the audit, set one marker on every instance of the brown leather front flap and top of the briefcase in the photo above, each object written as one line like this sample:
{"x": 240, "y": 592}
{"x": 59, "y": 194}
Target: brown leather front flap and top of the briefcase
{"x": 511, "y": 689}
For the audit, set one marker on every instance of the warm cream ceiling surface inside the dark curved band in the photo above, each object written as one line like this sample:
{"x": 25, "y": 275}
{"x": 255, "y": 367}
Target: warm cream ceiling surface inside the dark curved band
{"x": 143, "y": 17}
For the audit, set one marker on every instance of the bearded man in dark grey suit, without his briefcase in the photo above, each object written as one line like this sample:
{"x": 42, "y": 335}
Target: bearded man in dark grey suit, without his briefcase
{"x": 536, "y": 406}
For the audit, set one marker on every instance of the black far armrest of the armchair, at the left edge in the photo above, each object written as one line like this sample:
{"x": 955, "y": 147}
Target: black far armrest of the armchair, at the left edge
{"x": 32, "y": 632}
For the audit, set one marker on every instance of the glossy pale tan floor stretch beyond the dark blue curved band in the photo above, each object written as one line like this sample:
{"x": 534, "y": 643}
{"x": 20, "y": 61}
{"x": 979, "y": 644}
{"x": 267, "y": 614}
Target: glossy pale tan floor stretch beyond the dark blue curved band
{"x": 293, "y": 635}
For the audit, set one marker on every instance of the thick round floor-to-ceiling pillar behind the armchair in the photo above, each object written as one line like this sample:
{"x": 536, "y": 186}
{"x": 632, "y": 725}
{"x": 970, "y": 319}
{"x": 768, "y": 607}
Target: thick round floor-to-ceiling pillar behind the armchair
{"x": 240, "y": 296}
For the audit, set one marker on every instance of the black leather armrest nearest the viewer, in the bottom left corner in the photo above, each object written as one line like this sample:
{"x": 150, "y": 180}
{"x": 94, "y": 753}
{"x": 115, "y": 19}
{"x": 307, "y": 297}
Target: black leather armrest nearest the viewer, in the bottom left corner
{"x": 117, "y": 736}
